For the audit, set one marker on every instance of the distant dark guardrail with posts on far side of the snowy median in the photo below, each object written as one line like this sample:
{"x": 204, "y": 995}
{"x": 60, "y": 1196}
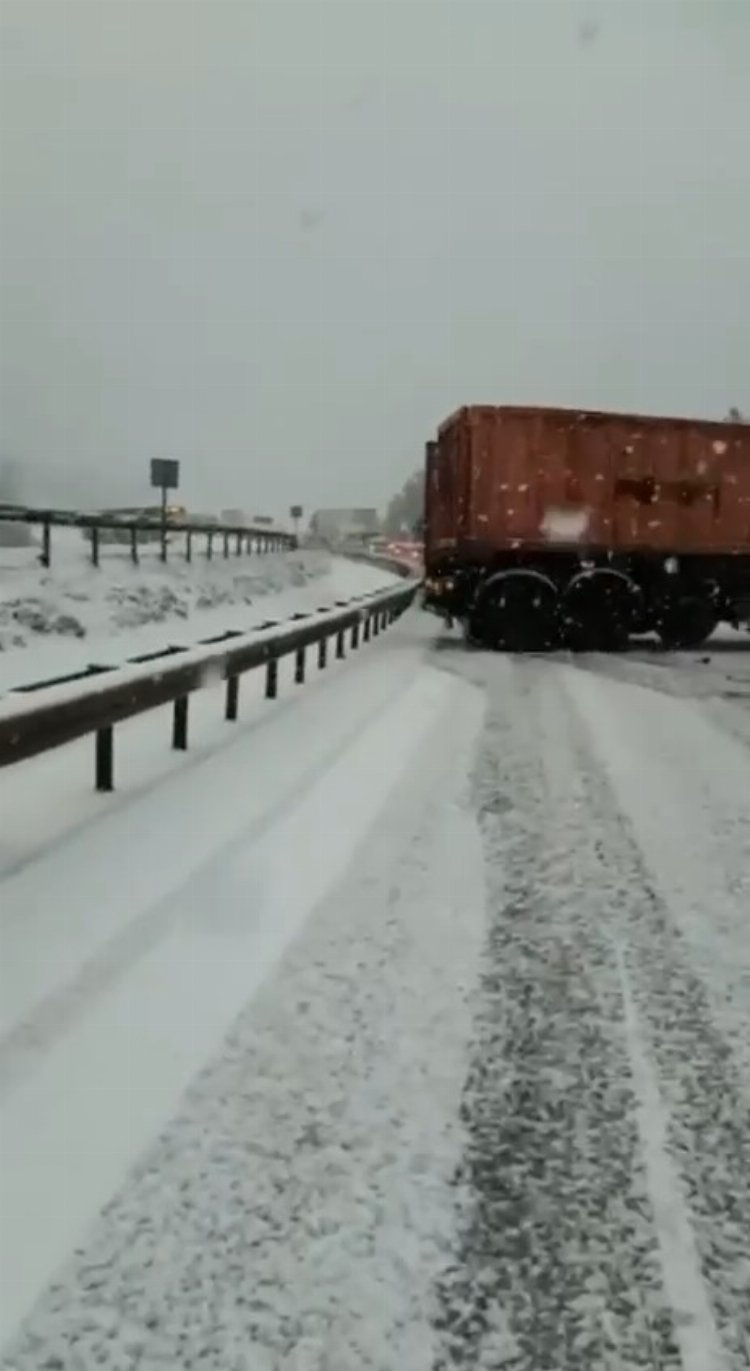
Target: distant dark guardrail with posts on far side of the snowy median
{"x": 243, "y": 539}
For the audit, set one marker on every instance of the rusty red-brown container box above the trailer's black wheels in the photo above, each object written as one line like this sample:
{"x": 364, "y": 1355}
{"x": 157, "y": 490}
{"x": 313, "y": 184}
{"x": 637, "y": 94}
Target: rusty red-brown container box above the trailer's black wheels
{"x": 520, "y": 478}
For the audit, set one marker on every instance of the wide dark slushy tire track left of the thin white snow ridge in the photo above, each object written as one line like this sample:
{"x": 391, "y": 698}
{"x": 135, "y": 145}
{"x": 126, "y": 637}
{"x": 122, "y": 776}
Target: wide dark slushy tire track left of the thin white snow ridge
{"x": 559, "y": 1263}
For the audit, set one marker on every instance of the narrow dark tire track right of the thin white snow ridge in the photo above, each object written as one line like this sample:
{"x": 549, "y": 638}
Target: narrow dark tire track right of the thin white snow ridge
{"x": 699, "y": 1062}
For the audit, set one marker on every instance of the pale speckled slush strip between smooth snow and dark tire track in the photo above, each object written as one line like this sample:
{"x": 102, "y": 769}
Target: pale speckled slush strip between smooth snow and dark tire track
{"x": 295, "y": 1214}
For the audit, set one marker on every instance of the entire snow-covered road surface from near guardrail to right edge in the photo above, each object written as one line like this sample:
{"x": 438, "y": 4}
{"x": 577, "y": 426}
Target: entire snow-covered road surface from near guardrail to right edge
{"x": 409, "y": 1032}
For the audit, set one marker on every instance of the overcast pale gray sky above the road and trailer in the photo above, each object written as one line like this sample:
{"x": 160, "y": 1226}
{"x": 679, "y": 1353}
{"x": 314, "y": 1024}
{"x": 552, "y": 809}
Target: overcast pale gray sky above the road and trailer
{"x": 282, "y": 241}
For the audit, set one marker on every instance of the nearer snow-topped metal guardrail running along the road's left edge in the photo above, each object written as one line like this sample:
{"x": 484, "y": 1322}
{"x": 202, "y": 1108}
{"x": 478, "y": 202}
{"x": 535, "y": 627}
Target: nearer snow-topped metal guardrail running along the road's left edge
{"x": 68, "y": 711}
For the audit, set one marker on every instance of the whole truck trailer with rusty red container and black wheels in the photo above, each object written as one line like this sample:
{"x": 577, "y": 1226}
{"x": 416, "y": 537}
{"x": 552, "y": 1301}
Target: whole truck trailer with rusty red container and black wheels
{"x": 548, "y": 527}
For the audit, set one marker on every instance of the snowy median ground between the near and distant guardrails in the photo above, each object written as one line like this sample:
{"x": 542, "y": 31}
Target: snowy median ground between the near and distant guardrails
{"x": 60, "y": 622}
